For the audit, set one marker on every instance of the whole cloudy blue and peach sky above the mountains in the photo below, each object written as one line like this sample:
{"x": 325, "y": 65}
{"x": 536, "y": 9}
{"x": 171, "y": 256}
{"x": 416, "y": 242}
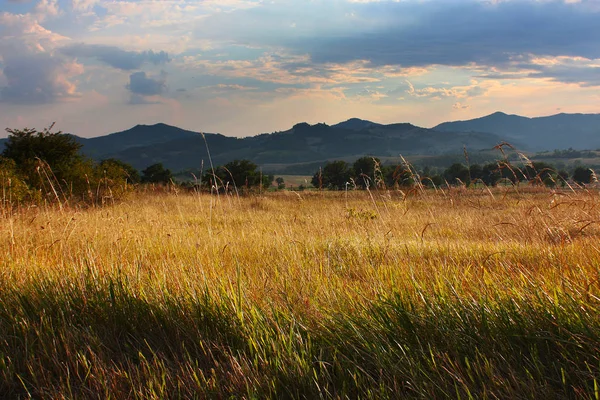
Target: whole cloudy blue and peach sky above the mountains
{"x": 244, "y": 67}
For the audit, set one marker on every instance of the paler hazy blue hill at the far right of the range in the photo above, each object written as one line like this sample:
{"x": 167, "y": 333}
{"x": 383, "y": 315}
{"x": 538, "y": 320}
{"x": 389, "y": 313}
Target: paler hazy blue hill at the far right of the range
{"x": 561, "y": 131}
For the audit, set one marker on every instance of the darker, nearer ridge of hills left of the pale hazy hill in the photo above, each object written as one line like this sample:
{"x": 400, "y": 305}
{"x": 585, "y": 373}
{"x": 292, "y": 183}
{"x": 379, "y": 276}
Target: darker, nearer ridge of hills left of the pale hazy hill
{"x": 178, "y": 149}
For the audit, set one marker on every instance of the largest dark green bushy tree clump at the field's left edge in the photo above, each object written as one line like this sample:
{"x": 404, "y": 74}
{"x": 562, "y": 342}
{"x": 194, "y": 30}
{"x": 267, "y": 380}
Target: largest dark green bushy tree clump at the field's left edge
{"x": 48, "y": 166}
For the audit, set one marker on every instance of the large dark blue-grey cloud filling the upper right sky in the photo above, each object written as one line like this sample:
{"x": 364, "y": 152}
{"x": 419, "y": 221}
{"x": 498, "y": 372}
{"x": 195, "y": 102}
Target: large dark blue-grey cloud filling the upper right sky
{"x": 456, "y": 34}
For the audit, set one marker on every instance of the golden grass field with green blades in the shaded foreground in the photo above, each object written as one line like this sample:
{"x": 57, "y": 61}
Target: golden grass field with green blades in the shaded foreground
{"x": 461, "y": 294}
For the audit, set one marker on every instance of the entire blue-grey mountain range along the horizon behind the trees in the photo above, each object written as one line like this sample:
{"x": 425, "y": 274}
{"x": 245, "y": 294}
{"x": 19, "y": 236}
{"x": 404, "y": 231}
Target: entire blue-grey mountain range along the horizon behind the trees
{"x": 180, "y": 149}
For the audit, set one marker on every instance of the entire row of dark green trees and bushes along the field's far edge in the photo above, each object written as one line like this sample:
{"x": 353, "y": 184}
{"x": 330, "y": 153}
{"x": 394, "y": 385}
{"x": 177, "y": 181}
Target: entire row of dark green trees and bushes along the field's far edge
{"x": 45, "y": 165}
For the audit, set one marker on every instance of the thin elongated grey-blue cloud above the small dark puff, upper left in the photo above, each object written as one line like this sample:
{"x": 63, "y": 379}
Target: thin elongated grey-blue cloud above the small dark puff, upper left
{"x": 116, "y": 57}
